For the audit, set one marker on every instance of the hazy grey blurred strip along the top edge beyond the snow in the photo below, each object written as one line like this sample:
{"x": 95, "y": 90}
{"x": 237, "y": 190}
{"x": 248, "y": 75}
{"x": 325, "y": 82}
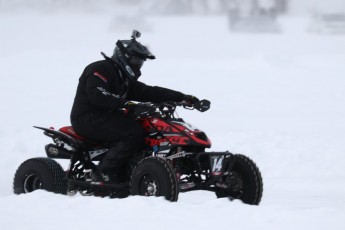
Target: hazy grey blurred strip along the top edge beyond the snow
{"x": 201, "y": 7}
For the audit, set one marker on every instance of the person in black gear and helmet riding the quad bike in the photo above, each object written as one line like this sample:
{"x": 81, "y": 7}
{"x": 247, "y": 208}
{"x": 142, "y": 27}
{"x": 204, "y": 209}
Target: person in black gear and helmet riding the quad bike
{"x": 105, "y": 89}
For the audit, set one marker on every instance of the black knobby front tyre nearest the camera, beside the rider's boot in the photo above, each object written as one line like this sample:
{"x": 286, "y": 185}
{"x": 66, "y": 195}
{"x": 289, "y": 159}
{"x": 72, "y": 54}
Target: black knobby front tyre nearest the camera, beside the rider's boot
{"x": 154, "y": 176}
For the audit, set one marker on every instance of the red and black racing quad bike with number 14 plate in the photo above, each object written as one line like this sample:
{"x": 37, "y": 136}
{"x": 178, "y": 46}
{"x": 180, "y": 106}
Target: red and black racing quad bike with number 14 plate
{"x": 174, "y": 160}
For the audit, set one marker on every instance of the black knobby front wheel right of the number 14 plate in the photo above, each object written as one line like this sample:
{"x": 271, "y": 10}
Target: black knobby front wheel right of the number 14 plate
{"x": 242, "y": 180}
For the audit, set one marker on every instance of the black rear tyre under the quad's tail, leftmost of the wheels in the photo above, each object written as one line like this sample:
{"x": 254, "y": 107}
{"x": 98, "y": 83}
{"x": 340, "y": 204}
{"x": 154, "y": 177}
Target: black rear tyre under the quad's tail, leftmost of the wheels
{"x": 39, "y": 173}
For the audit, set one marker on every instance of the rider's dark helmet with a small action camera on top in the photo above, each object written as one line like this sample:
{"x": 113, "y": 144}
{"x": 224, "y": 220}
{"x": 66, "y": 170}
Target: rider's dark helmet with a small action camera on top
{"x": 130, "y": 55}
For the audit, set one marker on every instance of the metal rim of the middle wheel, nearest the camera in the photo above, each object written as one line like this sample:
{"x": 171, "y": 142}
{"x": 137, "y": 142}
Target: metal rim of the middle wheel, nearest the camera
{"x": 149, "y": 185}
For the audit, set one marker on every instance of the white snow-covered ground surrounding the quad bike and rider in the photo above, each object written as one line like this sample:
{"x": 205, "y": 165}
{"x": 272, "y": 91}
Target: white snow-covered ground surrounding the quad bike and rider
{"x": 278, "y": 98}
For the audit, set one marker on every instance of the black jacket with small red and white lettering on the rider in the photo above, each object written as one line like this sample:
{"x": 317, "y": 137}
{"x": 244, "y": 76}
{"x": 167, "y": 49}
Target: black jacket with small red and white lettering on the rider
{"x": 103, "y": 87}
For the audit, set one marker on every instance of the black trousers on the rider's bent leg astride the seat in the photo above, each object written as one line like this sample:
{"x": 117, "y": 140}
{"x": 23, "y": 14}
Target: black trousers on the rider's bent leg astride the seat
{"x": 123, "y": 133}
